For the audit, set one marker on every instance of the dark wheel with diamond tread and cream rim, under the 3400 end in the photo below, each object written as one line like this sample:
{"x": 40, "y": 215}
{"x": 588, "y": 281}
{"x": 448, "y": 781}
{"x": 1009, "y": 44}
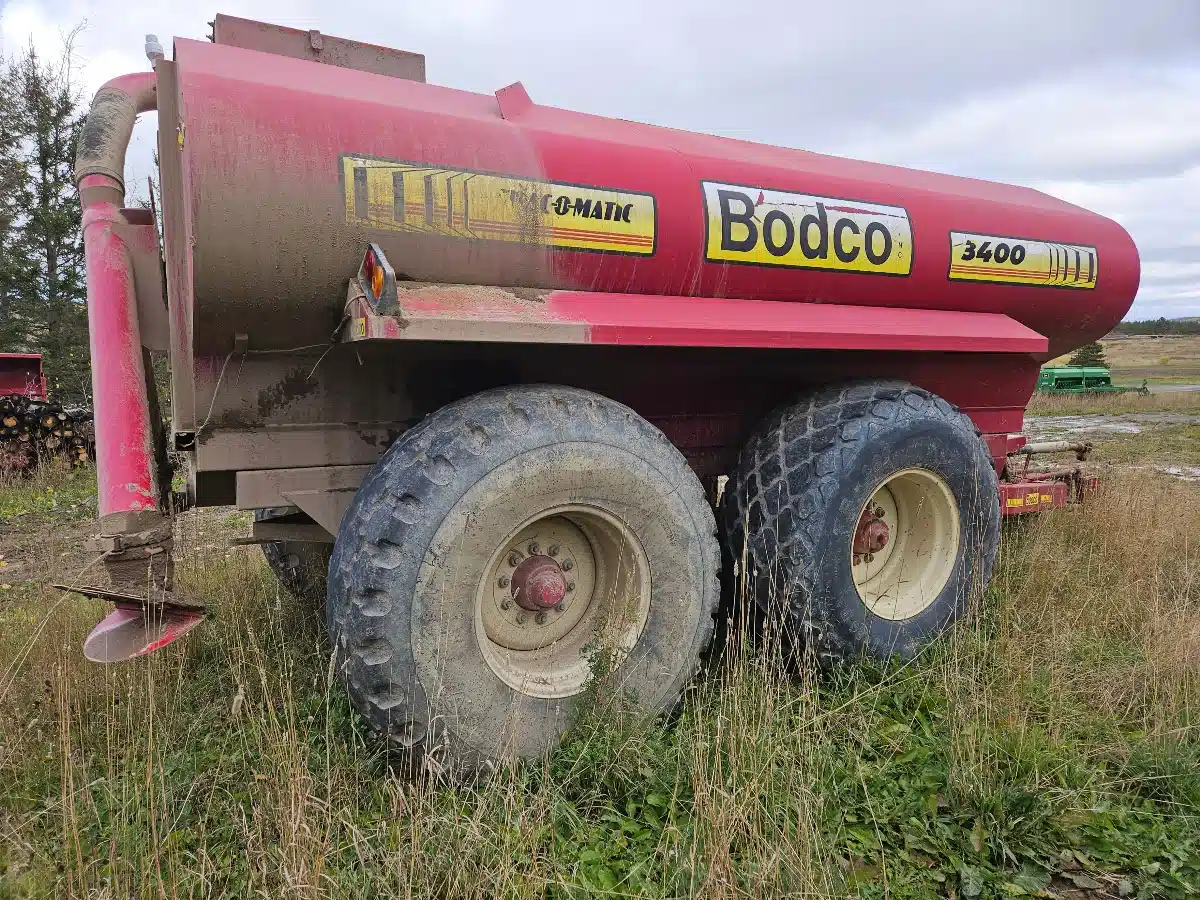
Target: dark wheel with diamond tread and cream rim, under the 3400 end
{"x": 817, "y": 477}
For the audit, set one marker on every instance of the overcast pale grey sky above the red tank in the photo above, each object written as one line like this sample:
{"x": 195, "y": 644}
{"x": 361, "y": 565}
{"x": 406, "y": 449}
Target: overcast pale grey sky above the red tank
{"x": 1095, "y": 101}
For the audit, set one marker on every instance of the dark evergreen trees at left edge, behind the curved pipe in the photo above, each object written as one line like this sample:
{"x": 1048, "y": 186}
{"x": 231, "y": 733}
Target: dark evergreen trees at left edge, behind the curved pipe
{"x": 43, "y": 290}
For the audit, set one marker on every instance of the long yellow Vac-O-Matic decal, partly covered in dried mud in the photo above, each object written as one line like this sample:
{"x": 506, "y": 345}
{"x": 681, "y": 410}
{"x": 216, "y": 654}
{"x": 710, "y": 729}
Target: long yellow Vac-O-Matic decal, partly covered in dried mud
{"x": 460, "y": 203}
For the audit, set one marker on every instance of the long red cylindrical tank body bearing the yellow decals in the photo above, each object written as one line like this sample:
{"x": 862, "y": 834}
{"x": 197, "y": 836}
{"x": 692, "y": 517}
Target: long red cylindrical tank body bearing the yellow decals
{"x": 291, "y": 167}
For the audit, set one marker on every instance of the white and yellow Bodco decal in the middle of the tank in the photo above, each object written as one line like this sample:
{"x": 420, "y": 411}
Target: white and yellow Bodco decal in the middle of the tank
{"x": 799, "y": 231}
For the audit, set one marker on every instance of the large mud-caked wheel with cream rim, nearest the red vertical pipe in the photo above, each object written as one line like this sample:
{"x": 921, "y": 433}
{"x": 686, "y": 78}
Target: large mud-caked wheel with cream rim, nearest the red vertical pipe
{"x": 497, "y": 550}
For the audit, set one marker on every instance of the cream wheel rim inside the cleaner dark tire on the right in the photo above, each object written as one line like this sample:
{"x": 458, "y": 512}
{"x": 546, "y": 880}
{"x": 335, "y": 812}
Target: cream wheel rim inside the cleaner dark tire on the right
{"x": 907, "y": 575}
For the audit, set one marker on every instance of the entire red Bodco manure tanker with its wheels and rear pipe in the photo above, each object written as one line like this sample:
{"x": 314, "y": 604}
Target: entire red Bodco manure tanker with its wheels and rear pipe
{"x": 525, "y": 382}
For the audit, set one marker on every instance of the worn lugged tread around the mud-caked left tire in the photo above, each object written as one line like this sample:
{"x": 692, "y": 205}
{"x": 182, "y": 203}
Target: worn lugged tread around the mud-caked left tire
{"x": 405, "y": 497}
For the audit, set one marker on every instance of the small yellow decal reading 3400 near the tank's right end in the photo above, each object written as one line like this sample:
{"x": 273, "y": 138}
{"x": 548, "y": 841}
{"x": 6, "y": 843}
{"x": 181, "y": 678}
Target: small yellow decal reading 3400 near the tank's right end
{"x": 1015, "y": 261}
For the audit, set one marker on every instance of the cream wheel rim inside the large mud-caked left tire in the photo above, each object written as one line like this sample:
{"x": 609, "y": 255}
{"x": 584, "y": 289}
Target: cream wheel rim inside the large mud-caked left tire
{"x": 544, "y": 652}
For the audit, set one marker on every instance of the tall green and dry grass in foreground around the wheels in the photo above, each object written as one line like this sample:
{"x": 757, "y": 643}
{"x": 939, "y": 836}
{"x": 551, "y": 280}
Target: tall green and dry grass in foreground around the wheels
{"x": 1061, "y": 719}
